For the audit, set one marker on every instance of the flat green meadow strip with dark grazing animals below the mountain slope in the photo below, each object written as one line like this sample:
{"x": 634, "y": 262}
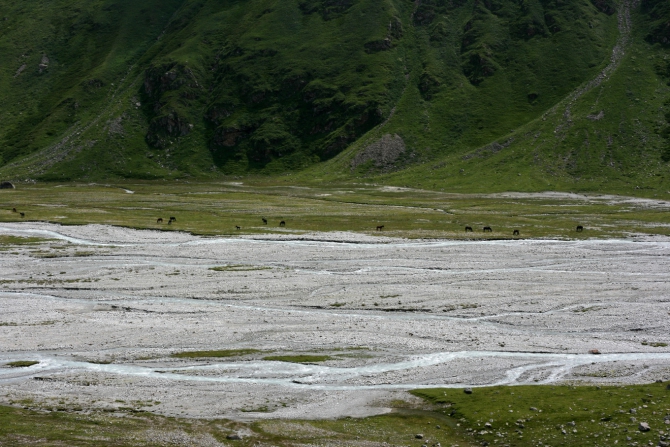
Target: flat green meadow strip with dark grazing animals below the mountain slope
{"x": 211, "y": 208}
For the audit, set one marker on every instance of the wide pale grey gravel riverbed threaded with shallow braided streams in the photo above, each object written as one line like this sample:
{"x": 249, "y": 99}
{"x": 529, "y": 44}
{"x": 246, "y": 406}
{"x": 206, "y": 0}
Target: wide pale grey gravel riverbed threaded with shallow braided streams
{"x": 102, "y": 308}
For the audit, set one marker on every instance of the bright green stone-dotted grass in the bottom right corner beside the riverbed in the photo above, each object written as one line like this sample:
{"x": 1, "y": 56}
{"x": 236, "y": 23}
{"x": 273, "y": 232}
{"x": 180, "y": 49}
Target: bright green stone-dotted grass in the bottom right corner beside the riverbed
{"x": 554, "y": 415}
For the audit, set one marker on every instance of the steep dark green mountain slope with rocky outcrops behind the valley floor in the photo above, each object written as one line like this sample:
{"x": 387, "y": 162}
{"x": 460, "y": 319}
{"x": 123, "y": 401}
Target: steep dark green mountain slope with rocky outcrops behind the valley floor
{"x": 469, "y": 94}
